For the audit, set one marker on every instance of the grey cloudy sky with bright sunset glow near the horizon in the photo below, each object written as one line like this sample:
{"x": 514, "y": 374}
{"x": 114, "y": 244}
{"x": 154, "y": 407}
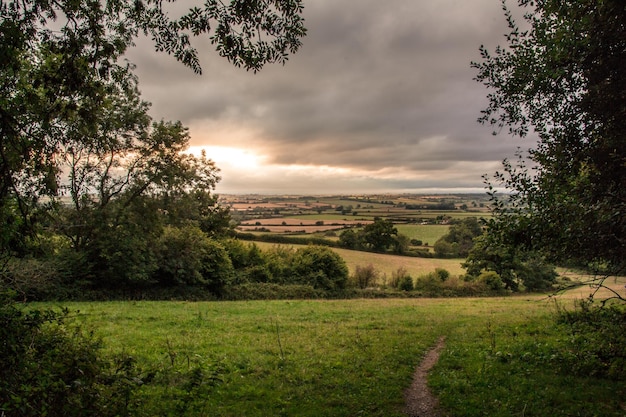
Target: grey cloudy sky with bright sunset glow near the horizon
{"x": 380, "y": 98}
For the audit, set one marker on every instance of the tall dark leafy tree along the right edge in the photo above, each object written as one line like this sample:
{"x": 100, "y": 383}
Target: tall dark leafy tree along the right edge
{"x": 563, "y": 80}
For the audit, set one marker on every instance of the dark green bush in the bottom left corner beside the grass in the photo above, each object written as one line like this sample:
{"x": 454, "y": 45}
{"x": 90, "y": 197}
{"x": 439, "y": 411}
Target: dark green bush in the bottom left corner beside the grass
{"x": 52, "y": 368}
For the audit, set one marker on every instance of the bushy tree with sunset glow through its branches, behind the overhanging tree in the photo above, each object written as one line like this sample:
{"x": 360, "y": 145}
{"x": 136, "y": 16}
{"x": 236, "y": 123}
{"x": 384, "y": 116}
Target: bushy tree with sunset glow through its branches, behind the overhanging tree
{"x": 123, "y": 190}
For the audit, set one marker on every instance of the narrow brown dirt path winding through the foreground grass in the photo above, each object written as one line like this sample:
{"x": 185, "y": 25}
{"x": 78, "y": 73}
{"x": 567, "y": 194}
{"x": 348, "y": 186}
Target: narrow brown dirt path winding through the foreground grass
{"x": 420, "y": 402}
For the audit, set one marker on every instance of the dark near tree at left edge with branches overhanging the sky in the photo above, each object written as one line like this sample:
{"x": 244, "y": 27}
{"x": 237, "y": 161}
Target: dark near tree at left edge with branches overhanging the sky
{"x": 61, "y": 69}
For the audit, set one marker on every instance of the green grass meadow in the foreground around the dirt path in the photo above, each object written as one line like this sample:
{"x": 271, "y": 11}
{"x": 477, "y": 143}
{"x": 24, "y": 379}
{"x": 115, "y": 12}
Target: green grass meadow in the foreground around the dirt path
{"x": 348, "y": 357}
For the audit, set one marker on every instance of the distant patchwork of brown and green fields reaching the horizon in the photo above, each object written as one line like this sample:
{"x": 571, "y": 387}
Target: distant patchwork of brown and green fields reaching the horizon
{"x": 421, "y": 218}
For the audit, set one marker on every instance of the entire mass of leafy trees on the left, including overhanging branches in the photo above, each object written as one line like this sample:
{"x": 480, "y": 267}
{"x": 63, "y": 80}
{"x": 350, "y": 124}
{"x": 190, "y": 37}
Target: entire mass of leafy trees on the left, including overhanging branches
{"x": 89, "y": 183}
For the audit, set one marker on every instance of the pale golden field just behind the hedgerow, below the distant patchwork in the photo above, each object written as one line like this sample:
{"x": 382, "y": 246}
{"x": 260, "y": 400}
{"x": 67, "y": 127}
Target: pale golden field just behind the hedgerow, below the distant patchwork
{"x": 387, "y": 264}
